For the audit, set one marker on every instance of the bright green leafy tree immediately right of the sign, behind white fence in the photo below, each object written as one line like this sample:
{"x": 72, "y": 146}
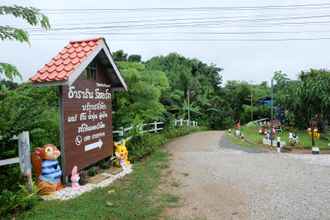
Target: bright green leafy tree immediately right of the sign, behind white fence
{"x": 142, "y": 101}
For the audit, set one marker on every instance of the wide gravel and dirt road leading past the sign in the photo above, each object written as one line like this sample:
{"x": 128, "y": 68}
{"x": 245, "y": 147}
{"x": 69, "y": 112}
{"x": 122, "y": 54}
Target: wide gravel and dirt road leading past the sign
{"x": 220, "y": 181}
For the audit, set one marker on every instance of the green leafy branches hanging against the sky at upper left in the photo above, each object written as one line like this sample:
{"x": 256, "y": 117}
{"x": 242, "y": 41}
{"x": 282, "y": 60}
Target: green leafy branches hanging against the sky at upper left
{"x": 33, "y": 17}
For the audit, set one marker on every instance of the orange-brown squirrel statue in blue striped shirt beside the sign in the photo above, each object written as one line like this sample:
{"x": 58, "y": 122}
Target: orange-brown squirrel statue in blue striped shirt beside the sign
{"x": 47, "y": 169}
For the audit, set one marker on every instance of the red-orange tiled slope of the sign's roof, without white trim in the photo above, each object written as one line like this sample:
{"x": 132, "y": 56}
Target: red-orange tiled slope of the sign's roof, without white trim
{"x": 66, "y": 61}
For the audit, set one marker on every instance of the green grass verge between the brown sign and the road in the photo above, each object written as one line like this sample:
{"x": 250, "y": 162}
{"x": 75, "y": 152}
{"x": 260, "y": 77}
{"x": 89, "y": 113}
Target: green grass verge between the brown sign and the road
{"x": 134, "y": 197}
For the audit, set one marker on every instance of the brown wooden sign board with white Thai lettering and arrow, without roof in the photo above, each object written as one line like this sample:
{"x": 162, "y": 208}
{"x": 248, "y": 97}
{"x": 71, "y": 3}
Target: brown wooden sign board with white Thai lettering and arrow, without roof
{"x": 86, "y": 123}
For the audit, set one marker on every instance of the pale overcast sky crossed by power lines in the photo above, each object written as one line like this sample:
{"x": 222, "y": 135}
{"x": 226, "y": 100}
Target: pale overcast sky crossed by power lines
{"x": 249, "y": 39}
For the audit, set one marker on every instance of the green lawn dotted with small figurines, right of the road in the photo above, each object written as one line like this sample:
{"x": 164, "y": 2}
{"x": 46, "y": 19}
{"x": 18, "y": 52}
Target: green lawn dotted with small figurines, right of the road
{"x": 251, "y": 134}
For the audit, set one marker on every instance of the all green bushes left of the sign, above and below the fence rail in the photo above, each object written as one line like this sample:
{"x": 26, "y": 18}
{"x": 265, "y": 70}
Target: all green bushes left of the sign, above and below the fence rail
{"x": 24, "y": 108}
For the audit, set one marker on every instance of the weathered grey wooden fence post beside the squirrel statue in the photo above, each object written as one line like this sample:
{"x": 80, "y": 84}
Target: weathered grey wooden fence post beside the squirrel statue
{"x": 25, "y": 157}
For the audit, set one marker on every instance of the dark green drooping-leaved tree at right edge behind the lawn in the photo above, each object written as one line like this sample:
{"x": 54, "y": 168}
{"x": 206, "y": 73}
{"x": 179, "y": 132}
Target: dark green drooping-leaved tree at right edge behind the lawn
{"x": 305, "y": 98}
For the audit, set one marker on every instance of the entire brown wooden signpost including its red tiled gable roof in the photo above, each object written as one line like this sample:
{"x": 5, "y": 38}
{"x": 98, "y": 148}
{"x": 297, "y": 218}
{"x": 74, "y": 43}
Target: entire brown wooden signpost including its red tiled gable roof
{"x": 86, "y": 74}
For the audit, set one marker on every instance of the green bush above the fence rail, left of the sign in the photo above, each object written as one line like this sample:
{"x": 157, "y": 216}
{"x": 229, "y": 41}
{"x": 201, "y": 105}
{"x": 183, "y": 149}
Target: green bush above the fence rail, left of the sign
{"x": 30, "y": 109}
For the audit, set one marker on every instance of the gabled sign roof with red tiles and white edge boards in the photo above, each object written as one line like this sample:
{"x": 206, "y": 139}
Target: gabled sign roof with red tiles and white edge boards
{"x": 68, "y": 64}
